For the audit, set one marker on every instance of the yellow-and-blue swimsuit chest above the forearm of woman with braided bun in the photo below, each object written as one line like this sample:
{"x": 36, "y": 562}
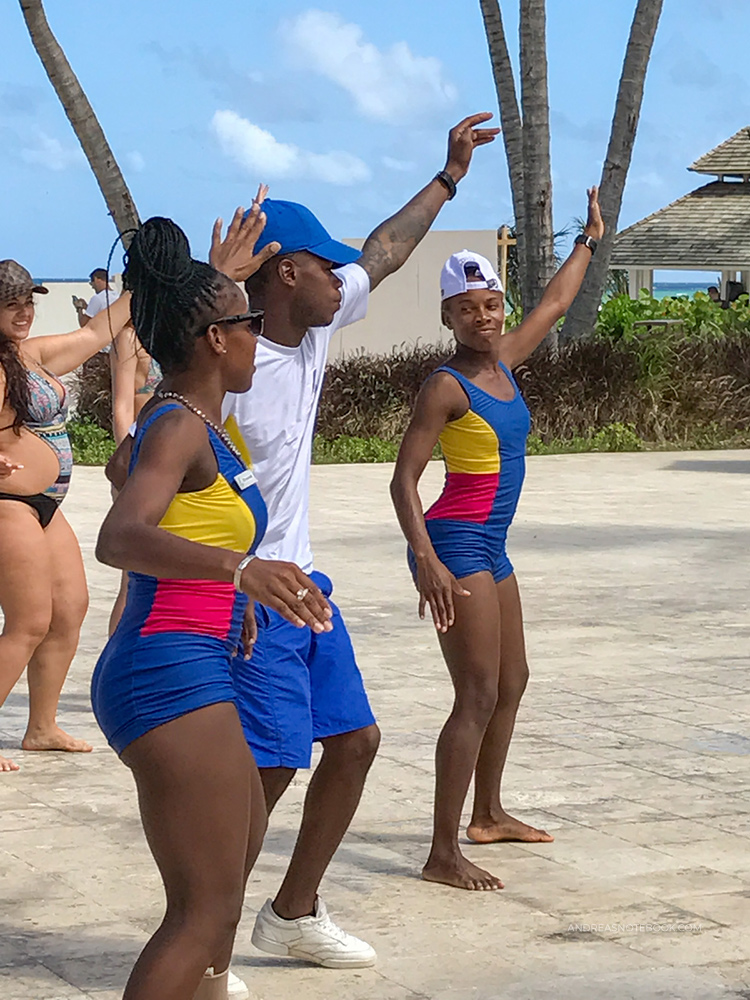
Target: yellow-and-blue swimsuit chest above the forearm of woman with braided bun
{"x": 229, "y": 513}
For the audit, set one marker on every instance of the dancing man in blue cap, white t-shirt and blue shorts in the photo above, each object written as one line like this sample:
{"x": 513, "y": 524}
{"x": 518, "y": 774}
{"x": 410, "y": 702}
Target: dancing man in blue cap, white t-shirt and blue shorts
{"x": 300, "y": 687}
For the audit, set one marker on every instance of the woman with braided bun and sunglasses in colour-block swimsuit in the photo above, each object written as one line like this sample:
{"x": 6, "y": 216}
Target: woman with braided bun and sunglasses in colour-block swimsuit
{"x": 182, "y": 524}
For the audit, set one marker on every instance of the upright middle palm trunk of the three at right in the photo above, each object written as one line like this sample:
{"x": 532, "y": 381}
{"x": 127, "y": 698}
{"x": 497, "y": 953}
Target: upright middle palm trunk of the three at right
{"x": 539, "y": 245}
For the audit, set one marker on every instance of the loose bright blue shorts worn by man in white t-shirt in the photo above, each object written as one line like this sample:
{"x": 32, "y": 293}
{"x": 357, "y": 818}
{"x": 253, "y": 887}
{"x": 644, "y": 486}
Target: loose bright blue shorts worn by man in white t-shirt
{"x": 298, "y": 687}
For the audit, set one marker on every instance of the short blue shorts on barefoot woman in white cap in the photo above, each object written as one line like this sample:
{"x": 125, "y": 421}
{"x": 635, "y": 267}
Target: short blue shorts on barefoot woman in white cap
{"x": 466, "y": 547}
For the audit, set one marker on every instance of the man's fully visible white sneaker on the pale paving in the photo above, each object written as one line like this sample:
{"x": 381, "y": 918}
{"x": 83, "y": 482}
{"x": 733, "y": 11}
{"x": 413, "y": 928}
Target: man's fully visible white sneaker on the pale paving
{"x": 316, "y": 939}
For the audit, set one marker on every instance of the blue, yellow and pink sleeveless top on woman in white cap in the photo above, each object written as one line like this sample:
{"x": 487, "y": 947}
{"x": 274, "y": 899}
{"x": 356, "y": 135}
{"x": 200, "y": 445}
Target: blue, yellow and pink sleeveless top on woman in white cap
{"x": 485, "y": 456}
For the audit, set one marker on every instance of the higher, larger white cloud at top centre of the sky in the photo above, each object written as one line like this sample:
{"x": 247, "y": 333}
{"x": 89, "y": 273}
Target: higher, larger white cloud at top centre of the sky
{"x": 391, "y": 85}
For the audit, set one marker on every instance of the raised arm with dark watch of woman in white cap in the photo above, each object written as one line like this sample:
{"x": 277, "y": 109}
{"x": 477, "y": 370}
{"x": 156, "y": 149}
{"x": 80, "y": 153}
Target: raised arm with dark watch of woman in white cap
{"x": 517, "y": 345}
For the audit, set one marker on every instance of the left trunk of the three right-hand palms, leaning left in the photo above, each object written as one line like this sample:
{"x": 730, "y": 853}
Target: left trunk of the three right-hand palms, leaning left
{"x": 510, "y": 113}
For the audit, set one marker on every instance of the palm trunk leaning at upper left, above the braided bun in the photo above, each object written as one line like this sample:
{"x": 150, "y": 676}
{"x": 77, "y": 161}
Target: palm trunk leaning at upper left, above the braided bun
{"x": 81, "y": 116}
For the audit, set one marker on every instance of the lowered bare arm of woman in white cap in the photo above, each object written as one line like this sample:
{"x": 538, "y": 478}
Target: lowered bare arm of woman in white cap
{"x": 440, "y": 400}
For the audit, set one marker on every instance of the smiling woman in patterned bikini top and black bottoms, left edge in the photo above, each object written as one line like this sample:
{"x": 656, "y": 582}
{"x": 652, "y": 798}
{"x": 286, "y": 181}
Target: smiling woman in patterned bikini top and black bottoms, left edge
{"x": 42, "y": 584}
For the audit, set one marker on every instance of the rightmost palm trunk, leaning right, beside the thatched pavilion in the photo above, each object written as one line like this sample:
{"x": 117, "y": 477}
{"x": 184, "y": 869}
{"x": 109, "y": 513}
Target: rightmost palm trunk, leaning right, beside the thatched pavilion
{"x": 582, "y": 314}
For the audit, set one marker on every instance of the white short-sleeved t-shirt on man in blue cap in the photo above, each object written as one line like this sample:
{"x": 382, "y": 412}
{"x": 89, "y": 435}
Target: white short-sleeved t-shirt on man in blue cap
{"x": 276, "y": 419}
